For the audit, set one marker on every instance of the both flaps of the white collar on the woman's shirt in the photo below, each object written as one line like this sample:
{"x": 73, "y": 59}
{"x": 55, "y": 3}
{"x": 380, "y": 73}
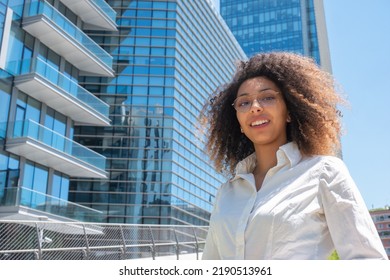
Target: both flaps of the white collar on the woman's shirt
{"x": 286, "y": 154}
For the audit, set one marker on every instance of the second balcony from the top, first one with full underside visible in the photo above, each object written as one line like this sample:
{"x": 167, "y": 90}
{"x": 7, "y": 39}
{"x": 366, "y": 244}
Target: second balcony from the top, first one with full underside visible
{"x": 53, "y": 29}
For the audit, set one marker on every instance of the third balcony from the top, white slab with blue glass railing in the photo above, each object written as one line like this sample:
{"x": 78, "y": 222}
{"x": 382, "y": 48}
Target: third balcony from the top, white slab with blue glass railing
{"x": 46, "y": 84}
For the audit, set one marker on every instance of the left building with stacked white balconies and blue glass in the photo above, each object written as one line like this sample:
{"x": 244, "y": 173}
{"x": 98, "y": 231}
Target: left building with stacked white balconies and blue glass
{"x": 44, "y": 52}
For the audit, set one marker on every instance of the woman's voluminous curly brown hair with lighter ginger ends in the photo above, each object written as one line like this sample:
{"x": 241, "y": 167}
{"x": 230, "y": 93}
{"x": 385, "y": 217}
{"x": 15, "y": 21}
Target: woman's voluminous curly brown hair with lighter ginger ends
{"x": 310, "y": 96}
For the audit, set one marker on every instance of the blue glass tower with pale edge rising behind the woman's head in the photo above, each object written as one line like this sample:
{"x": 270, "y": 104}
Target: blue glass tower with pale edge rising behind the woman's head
{"x": 279, "y": 25}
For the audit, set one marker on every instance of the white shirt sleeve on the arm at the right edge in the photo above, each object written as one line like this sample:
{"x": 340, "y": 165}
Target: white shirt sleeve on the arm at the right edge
{"x": 350, "y": 224}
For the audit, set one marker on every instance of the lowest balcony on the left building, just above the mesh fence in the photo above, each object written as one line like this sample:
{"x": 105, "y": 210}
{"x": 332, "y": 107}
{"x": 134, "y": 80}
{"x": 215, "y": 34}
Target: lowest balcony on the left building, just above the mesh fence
{"x": 21, "y": 203}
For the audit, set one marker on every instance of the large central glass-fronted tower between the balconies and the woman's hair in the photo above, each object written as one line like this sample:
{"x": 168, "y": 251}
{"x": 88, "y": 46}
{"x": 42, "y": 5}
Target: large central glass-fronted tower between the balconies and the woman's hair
{"x": 168, "y": 57}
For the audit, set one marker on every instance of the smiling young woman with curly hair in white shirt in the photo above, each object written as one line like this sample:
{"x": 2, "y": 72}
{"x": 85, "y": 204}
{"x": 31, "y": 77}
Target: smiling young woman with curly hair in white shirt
{"x": 276, "y": 129}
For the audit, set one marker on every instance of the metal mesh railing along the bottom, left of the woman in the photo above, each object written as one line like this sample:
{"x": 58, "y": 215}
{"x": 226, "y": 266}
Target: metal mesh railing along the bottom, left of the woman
{"x": 38, "y": 240}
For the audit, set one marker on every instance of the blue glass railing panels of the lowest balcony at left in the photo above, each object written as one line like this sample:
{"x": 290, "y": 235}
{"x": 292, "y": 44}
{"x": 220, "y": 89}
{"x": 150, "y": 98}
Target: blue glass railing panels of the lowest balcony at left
{"x": 21, "y": 196}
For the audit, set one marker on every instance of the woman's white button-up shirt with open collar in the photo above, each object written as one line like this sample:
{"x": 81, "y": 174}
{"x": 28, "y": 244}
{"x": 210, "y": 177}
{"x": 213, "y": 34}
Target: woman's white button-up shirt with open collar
{"x": 306, "y": 208}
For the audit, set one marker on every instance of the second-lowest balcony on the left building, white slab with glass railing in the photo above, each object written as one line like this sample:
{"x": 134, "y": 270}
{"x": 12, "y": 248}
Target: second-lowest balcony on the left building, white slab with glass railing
{"x": 40, "y": 144}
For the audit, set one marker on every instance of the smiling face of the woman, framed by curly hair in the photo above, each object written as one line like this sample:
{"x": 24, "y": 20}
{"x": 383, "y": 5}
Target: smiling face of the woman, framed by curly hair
{"x": 262, "y": 112}
